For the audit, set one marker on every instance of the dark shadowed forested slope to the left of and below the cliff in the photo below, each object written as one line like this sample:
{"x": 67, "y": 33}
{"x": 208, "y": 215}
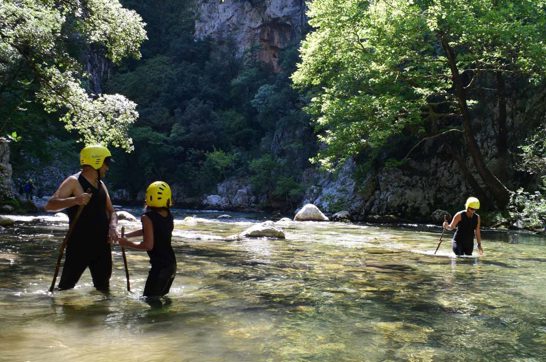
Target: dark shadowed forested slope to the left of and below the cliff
{"x": 203, "y": 114}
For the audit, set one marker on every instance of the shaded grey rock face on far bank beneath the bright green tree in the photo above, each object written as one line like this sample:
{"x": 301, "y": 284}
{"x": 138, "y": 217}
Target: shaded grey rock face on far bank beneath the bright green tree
{"x": 416, "y": 191}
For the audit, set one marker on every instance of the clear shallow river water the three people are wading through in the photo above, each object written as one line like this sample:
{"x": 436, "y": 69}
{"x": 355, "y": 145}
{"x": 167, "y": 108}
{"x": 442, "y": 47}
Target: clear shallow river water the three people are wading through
{"x": 329, "y": 292}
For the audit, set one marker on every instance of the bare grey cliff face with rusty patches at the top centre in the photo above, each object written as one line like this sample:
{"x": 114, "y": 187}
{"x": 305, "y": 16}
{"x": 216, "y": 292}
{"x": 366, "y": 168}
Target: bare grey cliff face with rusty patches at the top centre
{"x": 268, "y": 26}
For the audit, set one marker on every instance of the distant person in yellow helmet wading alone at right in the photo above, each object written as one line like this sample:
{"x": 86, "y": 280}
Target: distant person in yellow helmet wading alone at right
{"x": 467, "y": 223}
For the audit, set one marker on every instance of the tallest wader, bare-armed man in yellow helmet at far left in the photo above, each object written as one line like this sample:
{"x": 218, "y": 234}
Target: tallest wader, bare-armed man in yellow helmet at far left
{"x": 95, "y": 229}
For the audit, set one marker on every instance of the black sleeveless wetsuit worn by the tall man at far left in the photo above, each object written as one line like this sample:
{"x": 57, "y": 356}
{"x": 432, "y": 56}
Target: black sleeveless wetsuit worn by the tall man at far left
{"x": 88, "y": 245}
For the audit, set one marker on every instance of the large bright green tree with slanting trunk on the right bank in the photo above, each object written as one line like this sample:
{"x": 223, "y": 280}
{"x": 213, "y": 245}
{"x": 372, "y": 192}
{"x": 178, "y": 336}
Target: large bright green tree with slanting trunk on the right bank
{"x": 382, "y": 68}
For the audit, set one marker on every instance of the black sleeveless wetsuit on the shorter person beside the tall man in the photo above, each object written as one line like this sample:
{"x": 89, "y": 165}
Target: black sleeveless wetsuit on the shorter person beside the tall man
{"x": 162, "y": 258}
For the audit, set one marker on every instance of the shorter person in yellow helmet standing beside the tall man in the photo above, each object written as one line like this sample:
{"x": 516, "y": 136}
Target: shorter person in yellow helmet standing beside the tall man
{"x": 156, "y": 232}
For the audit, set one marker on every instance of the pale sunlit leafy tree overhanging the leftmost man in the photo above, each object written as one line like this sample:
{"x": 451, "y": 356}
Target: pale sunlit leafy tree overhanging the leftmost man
{"x": 42, "y": 47}
